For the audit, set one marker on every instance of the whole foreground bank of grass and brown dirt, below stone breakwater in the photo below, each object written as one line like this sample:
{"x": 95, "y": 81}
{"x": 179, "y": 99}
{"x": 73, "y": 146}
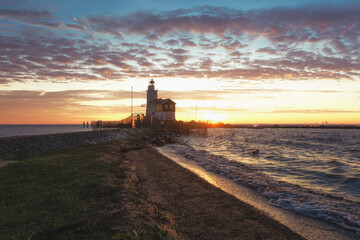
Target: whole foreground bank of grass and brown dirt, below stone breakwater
{"x": 149, "y": 195}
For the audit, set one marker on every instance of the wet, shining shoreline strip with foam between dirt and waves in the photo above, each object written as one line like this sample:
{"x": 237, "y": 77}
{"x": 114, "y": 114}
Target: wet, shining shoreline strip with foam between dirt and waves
{"x": 307, "y": 227}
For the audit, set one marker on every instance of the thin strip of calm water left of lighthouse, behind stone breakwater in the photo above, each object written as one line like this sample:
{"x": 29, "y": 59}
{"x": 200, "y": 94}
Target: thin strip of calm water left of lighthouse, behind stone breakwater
{"x": 12, "y": 130}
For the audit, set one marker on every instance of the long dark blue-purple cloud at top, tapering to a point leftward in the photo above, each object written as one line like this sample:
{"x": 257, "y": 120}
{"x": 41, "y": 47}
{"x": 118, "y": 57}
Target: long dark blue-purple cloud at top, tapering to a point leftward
{"x": 308, "y": 23}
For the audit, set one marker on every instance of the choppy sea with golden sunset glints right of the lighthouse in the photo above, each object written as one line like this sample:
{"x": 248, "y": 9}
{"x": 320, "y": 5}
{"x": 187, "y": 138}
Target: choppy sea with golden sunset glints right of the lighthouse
{"x": 313, "y": 172}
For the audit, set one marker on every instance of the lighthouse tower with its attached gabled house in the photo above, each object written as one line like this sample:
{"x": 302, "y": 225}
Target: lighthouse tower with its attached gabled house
{"x": 161, "y": 109}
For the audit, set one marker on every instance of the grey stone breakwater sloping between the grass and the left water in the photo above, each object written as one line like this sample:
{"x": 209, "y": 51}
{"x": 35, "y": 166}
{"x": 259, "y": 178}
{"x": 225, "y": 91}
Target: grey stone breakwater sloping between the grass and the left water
{"x": 15, "y": 148}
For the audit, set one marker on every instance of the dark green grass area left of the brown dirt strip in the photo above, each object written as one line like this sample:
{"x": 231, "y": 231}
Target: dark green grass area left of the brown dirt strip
{"x": 69, "y": 194}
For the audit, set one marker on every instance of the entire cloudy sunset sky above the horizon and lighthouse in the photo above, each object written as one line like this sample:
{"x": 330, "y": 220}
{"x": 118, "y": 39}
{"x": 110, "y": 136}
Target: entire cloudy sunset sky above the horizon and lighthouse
{"x": 247, "y": 62}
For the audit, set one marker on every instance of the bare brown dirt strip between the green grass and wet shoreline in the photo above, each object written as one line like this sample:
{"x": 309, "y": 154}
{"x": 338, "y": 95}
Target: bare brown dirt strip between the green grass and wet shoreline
{"x": 191, "y": 208}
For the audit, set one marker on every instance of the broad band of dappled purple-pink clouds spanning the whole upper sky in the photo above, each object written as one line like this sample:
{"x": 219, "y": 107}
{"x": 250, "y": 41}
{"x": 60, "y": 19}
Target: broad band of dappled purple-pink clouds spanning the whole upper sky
{"x": 308, "y": 42}
